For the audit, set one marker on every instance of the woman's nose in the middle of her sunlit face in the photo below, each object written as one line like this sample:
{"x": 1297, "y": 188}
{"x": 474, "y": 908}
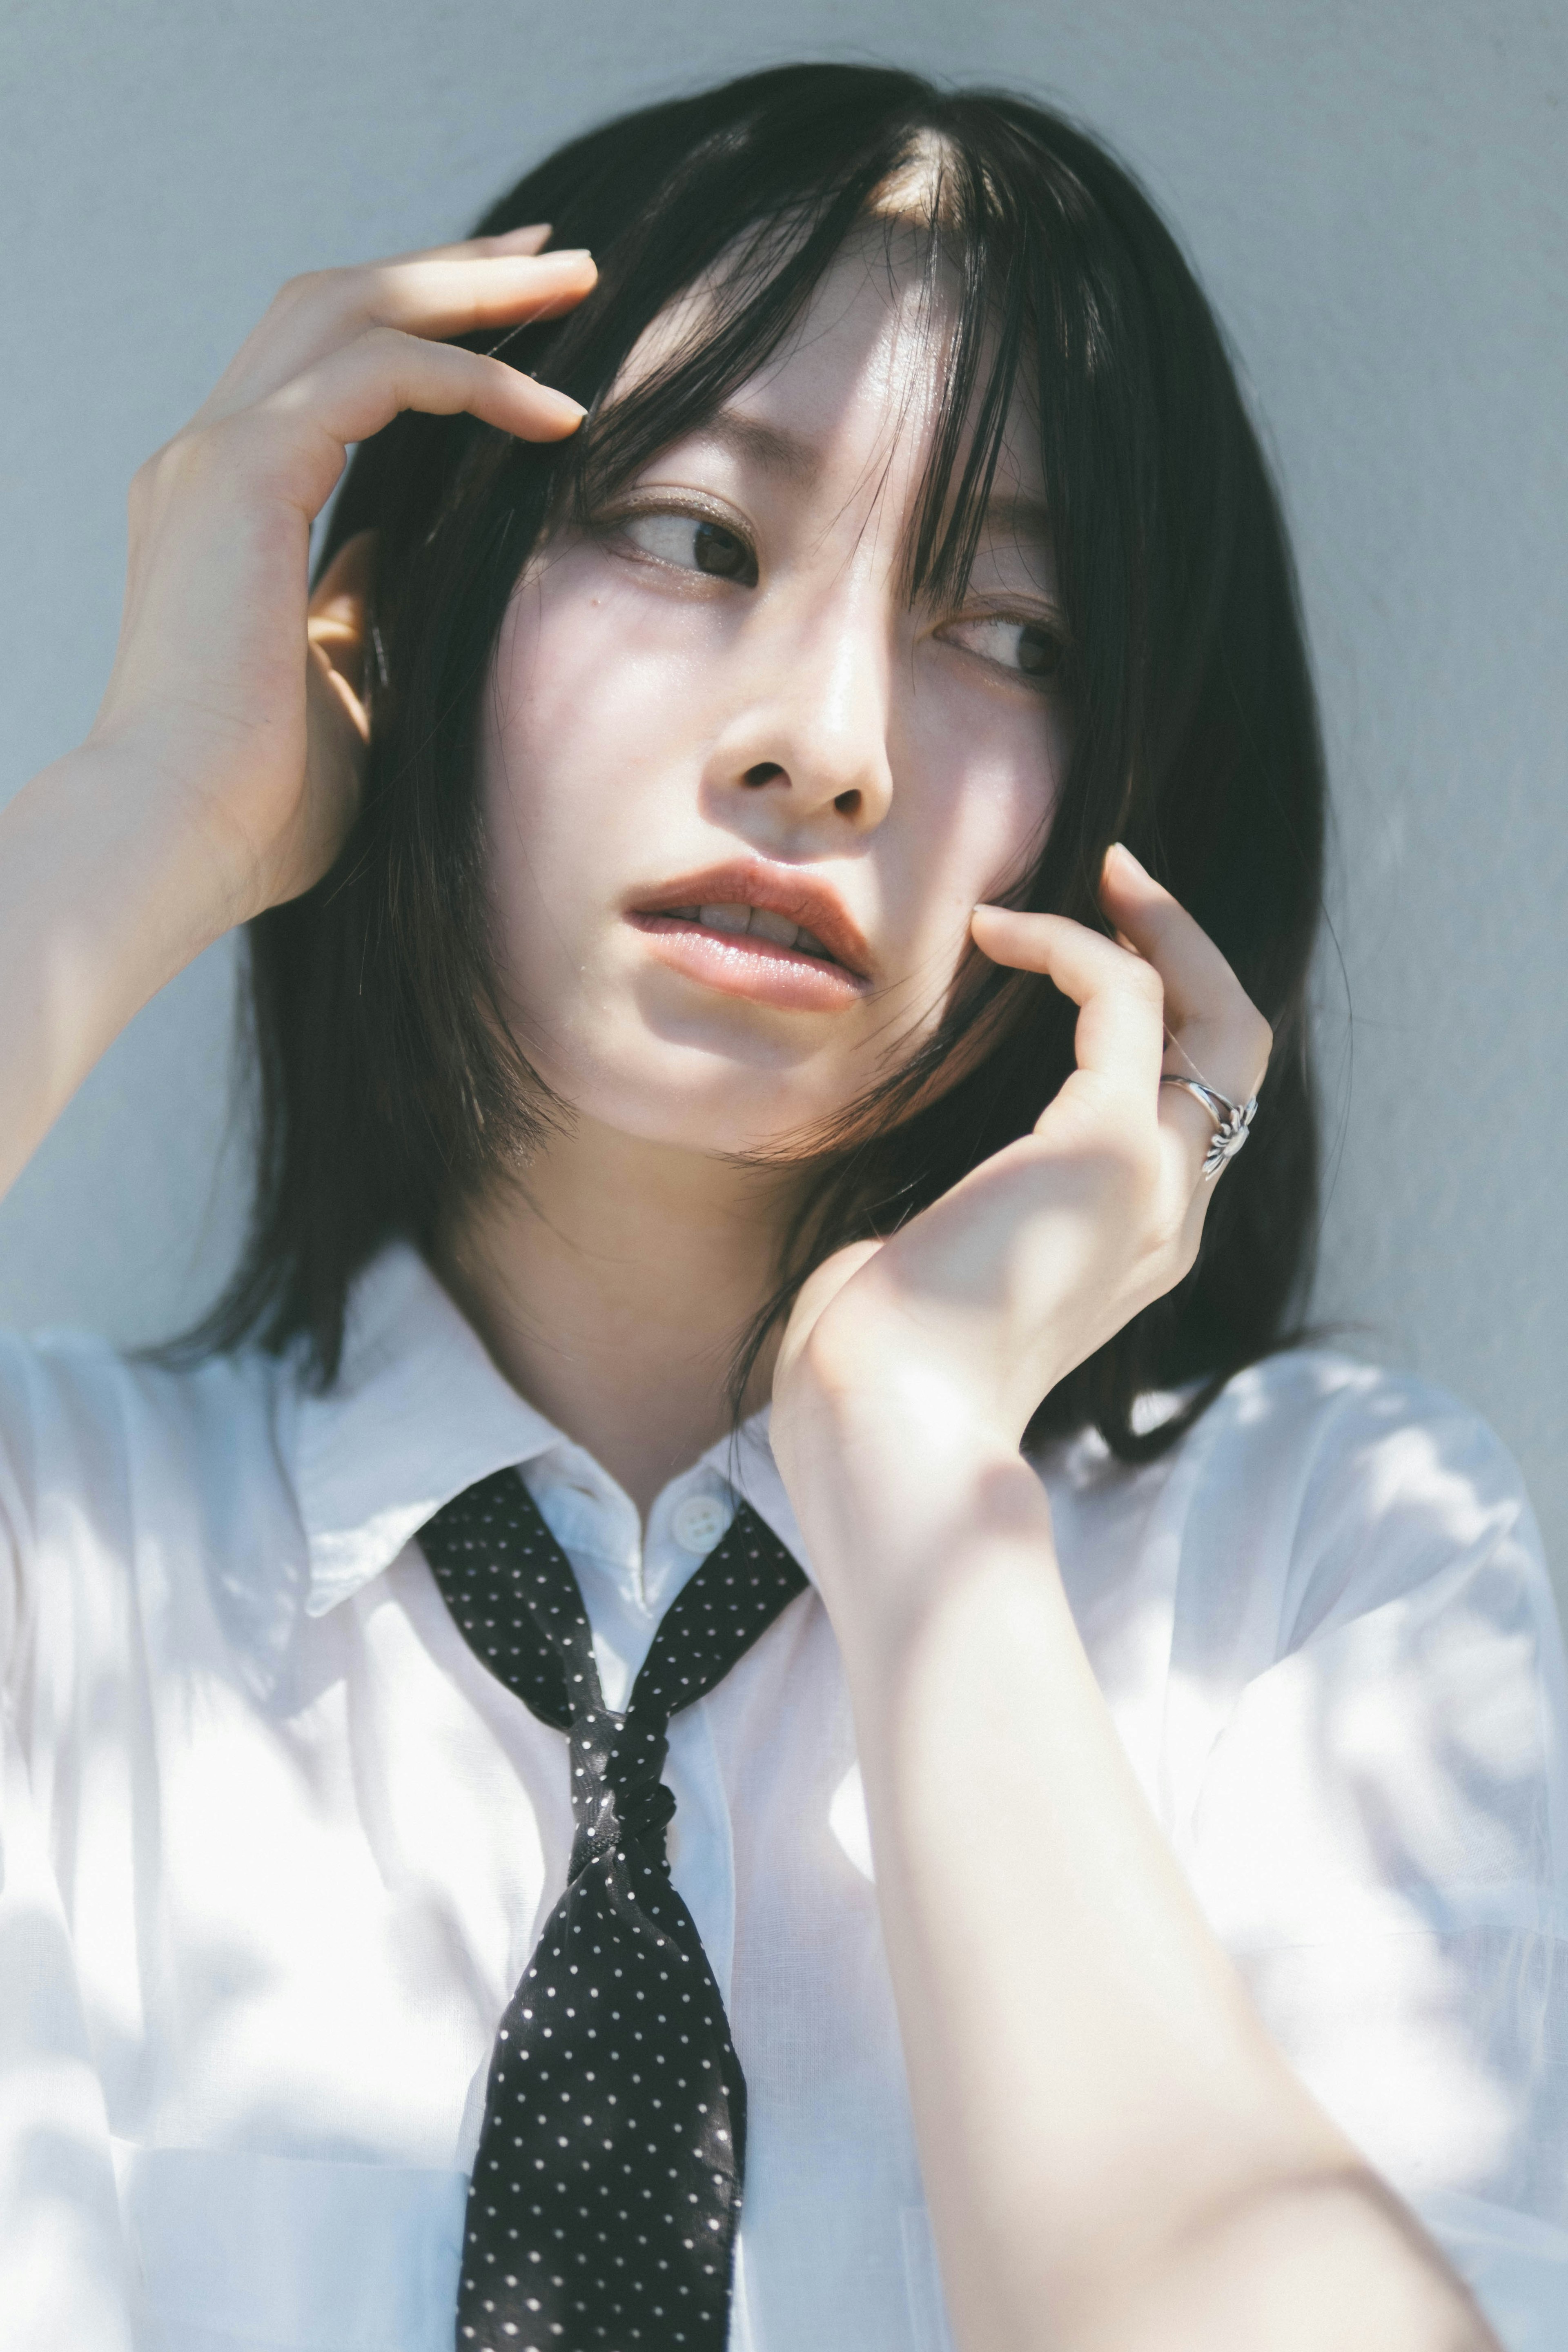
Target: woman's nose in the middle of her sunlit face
{"x": 812, "y": 730}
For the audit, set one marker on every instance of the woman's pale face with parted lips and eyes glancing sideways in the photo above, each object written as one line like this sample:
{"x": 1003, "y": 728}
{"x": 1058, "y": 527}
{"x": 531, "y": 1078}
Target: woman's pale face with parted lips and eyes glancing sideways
{"x": 718, "y": 726}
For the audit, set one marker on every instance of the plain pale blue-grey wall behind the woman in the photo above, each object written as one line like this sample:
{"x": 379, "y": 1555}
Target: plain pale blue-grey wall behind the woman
{"x": 1376, "y": 196}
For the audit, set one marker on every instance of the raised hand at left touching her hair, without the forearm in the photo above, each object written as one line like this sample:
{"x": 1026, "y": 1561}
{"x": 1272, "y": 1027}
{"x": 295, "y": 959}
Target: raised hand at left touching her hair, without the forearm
{"x": 229, "y": 709}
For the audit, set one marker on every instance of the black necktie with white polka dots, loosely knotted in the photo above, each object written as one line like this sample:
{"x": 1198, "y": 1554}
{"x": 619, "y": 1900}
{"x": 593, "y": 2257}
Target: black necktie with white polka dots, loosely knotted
{"x": 608, "y": 2186}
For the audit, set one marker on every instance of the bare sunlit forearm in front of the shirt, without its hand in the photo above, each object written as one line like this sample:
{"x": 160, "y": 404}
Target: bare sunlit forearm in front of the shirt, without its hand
{"x": 1115, "y": 2153}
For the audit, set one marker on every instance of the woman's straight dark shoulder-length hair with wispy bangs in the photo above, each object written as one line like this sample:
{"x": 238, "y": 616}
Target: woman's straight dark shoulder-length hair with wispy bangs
{"x": 389, "y": 1085}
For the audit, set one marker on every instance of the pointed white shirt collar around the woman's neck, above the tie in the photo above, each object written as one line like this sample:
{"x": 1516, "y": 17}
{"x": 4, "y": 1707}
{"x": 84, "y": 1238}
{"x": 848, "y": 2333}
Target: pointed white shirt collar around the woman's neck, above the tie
{"x": 417, "y": 1415}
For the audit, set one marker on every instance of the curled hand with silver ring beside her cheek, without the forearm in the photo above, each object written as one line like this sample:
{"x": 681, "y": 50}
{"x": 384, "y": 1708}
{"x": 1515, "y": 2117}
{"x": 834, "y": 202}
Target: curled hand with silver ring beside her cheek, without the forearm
{"x": 979, "y": 1307}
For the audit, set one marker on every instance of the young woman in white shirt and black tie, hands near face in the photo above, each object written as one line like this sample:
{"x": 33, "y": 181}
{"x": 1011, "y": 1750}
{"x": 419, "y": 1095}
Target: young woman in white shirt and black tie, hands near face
{"x": 742, "y": 1697}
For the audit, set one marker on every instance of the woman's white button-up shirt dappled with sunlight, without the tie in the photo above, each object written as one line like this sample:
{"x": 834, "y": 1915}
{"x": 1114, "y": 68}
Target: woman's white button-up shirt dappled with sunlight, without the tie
{"x": 276, "y": 1847}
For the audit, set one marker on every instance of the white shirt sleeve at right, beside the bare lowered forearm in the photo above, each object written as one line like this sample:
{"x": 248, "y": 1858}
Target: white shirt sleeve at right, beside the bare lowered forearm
{"x": 1381, "y": 1838}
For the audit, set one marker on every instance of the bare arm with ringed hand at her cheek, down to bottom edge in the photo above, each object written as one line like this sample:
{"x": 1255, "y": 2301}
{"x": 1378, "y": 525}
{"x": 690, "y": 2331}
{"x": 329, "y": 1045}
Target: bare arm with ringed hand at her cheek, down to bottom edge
{"x": 1115, "y": 2153}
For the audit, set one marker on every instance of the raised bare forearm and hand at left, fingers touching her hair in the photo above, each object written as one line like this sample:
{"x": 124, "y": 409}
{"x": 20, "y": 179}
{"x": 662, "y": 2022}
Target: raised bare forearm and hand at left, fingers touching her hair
{"x": 222, "y": 770}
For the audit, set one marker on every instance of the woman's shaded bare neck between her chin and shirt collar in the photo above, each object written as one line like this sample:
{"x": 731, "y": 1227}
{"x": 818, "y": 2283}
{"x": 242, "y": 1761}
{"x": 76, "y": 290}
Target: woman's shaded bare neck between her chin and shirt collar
{"x": 615, "y": 1283}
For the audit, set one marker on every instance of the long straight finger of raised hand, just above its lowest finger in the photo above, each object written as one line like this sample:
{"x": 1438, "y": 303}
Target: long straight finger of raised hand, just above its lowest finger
{"x": 431, "y": 295}
